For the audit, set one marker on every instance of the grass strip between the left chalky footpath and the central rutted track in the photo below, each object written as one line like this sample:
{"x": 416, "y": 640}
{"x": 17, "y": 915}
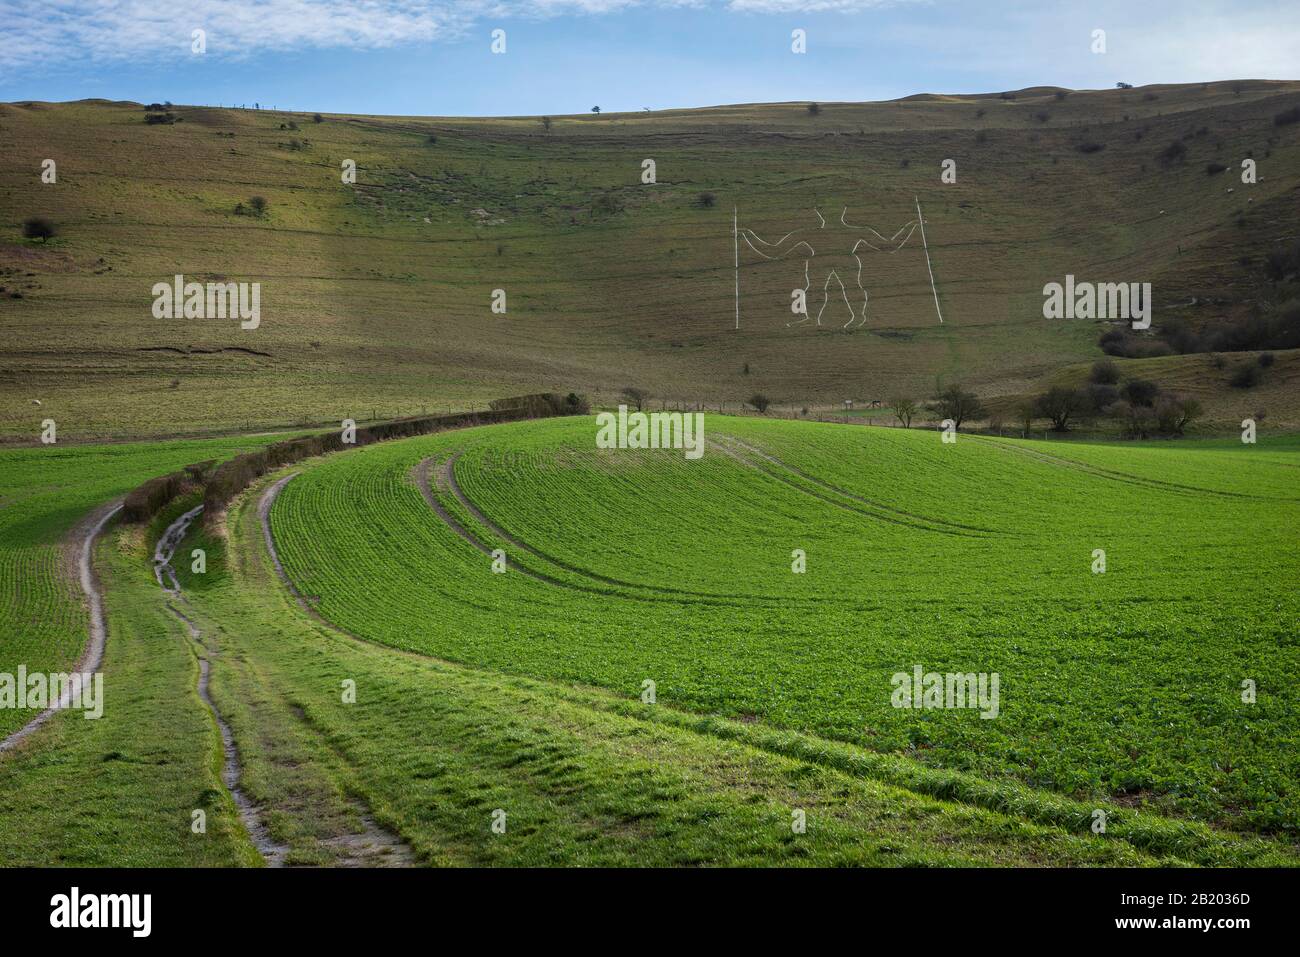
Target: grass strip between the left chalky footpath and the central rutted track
{"x": 120, "y": 791}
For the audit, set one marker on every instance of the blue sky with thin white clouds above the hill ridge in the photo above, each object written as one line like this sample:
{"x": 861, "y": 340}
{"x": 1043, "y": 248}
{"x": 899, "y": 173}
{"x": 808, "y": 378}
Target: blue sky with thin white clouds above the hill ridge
{"x": 564, "y": 57}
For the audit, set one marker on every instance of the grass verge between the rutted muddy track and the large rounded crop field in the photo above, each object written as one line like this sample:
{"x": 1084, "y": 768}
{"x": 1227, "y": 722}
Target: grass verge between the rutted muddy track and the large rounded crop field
{"x": 588, "y": 777}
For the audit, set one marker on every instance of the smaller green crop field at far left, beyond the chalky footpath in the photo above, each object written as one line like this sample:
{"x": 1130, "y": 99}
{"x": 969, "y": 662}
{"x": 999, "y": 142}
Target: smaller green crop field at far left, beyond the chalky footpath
{"x": 45, "y": 493}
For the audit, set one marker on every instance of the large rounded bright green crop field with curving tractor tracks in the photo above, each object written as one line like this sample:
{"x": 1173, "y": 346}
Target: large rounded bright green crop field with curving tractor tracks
{"x": 1123, "y": 687}
